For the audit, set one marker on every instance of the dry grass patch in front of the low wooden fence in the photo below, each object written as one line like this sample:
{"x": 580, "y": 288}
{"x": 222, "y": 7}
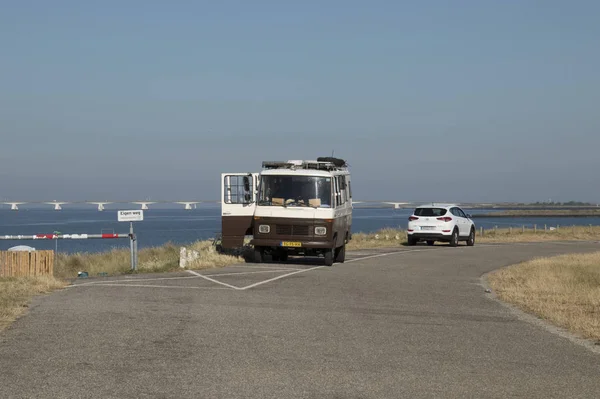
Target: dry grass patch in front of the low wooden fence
{"x": 16, "y": 294}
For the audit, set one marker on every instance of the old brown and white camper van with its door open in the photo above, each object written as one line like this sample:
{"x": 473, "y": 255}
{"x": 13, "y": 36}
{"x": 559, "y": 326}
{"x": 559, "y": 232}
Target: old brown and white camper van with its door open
{"x": 296, "y": 207}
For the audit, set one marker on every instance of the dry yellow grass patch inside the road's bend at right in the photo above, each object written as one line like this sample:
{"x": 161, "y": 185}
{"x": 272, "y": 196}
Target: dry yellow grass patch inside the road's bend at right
{"x": 564, "y": 290}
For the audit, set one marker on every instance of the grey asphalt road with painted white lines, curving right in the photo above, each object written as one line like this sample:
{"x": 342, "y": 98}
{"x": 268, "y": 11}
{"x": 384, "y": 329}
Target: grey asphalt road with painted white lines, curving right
{"x": 416, "y": 323}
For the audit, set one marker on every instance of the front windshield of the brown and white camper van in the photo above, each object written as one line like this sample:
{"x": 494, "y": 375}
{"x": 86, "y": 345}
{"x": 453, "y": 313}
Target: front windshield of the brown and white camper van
{"x": 287, "y": 190}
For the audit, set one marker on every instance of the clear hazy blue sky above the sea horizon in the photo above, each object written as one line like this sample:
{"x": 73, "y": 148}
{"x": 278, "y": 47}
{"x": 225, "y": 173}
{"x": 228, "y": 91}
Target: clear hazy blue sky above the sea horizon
{"x": 438, "y": 100}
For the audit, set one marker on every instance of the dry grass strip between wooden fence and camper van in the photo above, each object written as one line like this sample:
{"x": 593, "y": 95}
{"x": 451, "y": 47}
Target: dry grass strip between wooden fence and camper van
{"x": 150, "y": 260}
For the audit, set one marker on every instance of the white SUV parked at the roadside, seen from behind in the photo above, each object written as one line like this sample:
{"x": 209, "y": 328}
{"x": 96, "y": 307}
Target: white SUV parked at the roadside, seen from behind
{"x": 448, "y": 223}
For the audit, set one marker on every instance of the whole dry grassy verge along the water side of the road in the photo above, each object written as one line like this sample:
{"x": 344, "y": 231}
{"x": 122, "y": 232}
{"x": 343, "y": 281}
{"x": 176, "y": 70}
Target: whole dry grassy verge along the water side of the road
{"x": 15, "y": 293}
